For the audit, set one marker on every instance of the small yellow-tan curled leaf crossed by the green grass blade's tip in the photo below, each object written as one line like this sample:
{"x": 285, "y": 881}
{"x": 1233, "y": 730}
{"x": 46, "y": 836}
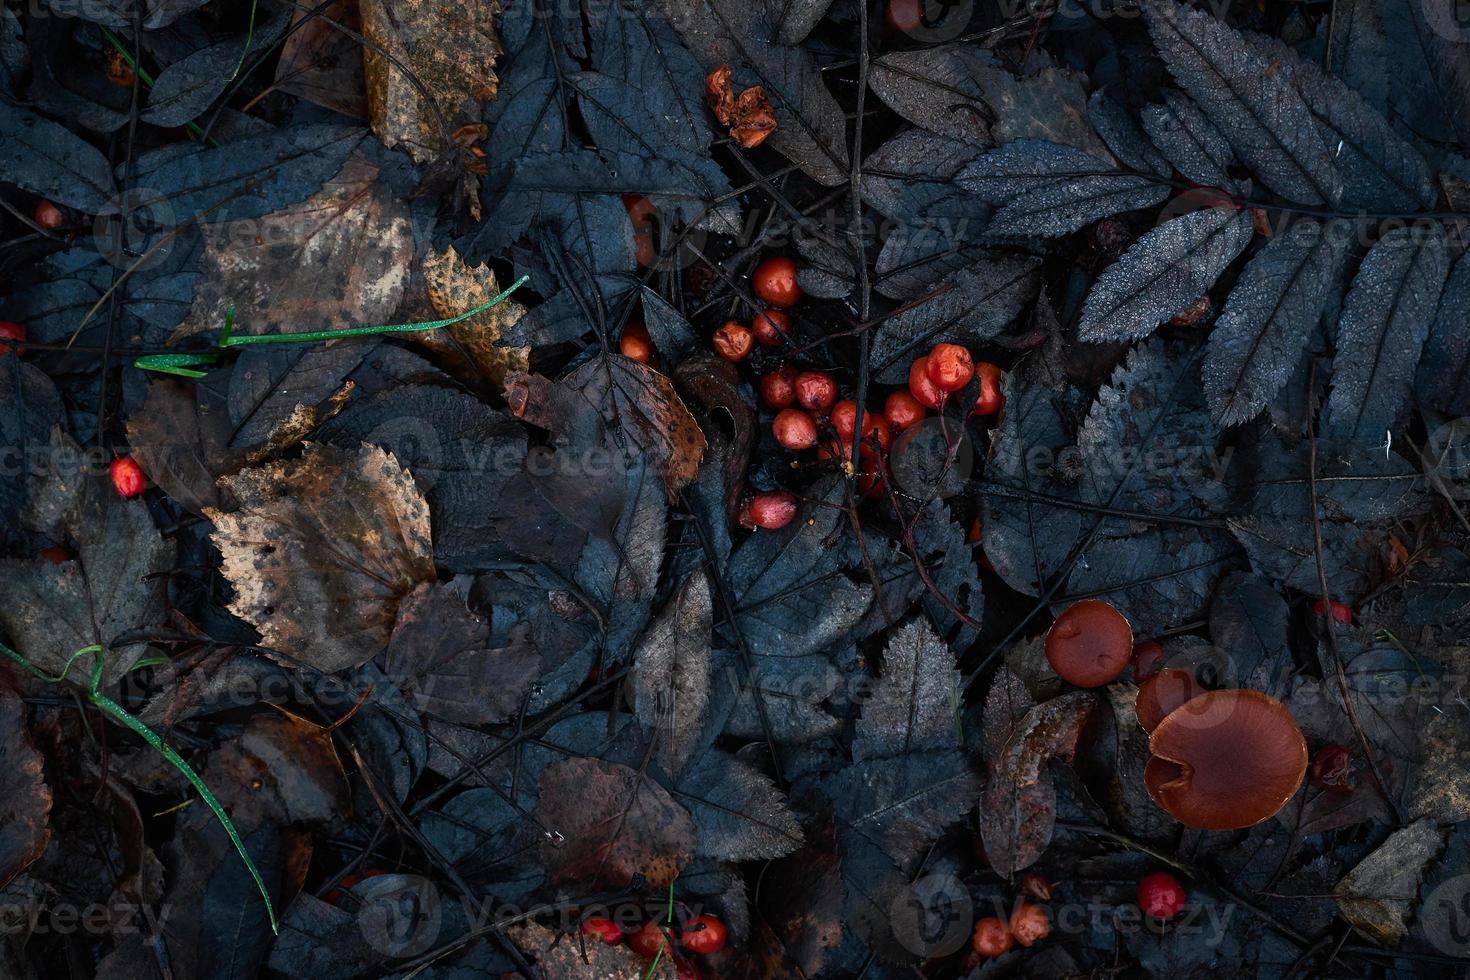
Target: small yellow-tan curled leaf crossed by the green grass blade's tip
{"x": 473, "y": 346}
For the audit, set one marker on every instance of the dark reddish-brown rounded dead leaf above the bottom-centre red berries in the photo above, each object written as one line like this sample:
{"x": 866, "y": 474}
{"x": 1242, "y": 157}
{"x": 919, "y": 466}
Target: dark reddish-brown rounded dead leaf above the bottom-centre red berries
{"x": 617, "y": 825}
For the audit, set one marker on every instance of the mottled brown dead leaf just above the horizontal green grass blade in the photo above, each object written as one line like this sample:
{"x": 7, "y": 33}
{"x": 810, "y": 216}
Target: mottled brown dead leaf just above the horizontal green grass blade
{"x": 337, "y": 259}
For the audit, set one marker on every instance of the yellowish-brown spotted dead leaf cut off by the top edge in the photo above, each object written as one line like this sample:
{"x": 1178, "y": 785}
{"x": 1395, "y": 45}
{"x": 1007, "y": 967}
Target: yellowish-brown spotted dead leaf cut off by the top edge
{"x": 448, "y": 46}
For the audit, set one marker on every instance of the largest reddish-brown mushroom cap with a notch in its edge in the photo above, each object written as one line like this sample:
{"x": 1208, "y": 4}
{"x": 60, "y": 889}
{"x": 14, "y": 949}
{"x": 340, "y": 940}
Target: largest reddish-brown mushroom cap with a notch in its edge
{"x": 1225, "y": 760}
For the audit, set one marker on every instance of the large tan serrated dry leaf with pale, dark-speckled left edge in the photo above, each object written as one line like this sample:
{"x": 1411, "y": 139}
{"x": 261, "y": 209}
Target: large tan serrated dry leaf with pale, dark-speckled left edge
{"x": 323, "y": 550}
